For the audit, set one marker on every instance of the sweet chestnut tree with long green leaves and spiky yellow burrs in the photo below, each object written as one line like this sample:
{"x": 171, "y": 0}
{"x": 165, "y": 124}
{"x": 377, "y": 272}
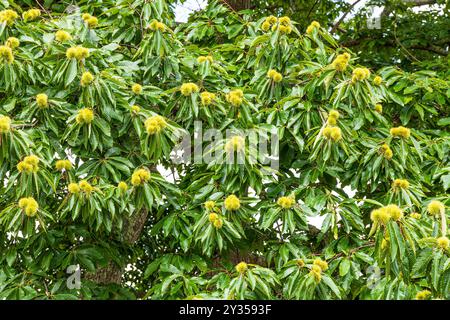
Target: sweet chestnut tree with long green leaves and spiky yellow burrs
{"x": 93, "y": 99}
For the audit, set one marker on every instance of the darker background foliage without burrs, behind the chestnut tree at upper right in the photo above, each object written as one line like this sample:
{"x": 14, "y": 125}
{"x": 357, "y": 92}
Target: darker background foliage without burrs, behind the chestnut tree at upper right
{"x": 413, "y": 34}
